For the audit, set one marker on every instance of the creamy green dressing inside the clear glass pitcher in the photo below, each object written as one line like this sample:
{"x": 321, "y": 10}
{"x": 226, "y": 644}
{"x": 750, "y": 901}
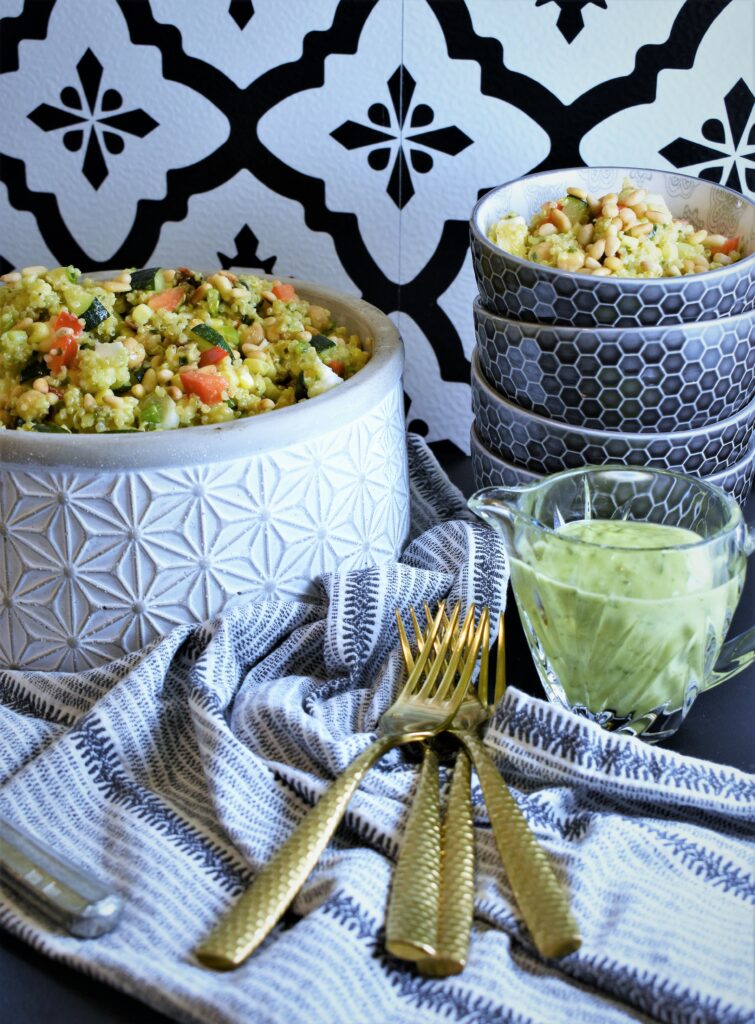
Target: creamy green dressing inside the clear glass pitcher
{"x": 630, "y": 618}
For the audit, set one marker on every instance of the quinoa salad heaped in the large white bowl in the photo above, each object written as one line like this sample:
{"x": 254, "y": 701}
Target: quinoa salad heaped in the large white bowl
{"x": 160, "y": 349}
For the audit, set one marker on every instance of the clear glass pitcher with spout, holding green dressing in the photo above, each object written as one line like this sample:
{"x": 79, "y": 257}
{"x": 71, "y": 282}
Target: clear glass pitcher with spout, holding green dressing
{"x": 626, "y": 581}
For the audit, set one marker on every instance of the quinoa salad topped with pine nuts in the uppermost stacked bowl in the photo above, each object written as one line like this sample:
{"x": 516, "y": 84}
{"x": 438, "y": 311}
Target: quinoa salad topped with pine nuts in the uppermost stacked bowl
{"x": 631, "y": 234}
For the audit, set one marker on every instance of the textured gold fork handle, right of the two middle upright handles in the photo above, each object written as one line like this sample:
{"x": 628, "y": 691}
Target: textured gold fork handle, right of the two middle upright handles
{"x": 456, "y": 909}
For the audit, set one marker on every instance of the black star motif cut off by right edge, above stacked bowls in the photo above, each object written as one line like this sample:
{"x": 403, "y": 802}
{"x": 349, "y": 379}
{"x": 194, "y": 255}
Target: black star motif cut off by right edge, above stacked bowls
{"x": 739, "y": 103}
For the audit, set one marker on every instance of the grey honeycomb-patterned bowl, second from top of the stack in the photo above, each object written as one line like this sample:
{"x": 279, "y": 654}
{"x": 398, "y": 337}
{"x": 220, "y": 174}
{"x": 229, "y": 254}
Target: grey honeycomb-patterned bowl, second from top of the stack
{"x": 655, "y": 379}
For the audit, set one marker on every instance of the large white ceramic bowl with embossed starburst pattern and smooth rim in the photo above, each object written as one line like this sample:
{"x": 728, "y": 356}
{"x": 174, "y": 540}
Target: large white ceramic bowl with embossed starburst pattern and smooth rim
{"x": 109, "y": 541}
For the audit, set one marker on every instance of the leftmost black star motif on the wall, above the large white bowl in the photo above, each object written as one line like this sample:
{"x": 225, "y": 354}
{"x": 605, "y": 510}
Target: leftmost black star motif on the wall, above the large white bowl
{"x": 95, "y": 121}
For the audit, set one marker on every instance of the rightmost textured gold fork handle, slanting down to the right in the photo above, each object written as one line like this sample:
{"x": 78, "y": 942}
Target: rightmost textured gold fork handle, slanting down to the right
{"x": 542, "y": 900}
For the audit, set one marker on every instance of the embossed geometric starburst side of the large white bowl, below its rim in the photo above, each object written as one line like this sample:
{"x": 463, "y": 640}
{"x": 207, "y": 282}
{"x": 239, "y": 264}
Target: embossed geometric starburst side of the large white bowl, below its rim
{"x": 94, "y": 565}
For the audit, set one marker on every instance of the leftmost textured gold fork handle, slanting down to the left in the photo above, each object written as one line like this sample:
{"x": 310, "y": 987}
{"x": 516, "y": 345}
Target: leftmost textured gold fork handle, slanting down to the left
{"x": 250, "y": 920}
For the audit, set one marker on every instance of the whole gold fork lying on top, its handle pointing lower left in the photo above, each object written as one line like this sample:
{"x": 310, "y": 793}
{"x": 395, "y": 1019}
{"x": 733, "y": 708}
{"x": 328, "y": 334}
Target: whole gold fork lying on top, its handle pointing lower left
{"x": 424, "y": 708}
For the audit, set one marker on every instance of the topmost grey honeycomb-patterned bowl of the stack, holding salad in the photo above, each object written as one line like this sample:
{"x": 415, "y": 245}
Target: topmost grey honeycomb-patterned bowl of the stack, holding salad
{"x": 528, "y": 291}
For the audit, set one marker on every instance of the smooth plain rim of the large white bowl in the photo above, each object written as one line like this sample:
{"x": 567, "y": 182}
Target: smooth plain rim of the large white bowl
{"x": 221, "y": 443}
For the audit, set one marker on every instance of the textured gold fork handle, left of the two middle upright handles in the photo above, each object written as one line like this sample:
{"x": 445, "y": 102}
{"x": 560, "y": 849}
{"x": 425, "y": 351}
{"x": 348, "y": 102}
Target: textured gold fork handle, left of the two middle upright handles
{"x": 411, "y": 922}
